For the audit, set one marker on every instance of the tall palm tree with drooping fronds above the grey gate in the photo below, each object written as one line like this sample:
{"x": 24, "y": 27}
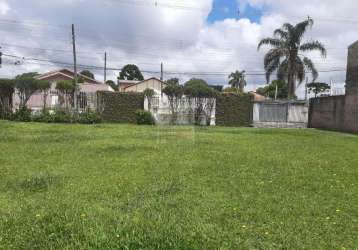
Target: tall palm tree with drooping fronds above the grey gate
{"x": 285, "y": 57}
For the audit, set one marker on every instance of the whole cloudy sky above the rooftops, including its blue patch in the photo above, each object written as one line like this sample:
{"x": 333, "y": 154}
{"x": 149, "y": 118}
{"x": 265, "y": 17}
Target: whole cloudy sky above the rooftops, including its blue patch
{"x": 202, "y": 38}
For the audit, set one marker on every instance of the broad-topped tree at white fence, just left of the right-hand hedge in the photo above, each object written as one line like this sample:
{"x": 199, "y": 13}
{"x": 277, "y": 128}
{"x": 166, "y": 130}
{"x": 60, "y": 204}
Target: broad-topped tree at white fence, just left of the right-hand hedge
{"x": 201, "y": 98}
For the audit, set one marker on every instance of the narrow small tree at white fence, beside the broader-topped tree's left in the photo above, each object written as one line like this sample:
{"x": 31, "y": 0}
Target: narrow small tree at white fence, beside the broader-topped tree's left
{"x": 174, "y": 92}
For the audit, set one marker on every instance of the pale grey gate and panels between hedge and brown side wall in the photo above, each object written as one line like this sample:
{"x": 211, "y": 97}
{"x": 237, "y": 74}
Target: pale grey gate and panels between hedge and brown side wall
{"x": 280, "y": 114}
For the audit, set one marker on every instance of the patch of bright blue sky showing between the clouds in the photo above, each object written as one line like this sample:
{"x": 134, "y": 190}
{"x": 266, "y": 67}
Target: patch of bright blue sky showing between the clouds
{"x": 223, "y": 9}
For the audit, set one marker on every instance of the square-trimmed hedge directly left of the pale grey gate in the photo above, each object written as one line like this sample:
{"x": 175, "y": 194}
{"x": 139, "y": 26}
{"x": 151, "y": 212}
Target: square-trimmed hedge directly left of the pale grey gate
{"x": 234, "y": 110}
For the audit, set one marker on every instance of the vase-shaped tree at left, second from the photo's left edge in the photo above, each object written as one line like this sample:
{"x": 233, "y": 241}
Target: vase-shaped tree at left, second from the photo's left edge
{"x": 26, "y": 85}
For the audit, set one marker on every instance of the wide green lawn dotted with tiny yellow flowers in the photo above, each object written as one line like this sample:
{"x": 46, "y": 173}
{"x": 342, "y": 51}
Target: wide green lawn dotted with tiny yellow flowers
{"x": 130, "y": 187}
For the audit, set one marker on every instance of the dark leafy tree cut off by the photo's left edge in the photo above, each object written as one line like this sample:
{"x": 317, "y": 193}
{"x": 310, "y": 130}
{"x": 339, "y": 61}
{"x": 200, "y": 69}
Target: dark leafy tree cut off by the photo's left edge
{"x": 7, "y": 89}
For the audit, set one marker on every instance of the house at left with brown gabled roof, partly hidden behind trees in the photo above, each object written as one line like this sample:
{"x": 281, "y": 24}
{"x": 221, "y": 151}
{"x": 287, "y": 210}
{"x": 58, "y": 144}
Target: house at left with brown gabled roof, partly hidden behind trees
{"x": 88, "y": 87}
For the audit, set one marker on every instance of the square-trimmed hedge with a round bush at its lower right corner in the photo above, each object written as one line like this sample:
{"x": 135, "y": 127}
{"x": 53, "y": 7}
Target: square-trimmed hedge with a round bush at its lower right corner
{"x": 120, "y": 107}
